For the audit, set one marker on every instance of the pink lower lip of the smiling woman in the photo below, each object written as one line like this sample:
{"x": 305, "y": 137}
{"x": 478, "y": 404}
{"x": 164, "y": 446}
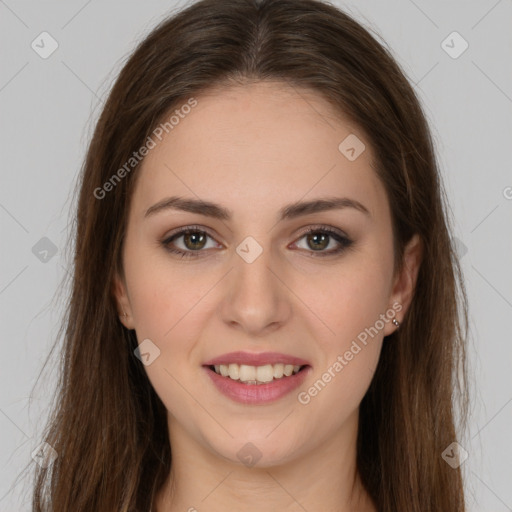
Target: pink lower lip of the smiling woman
{"x": 257, "y": 393}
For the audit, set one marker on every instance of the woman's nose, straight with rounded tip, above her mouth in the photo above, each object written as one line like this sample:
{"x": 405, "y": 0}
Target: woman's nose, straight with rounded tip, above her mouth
{"x": 257, "y": 300}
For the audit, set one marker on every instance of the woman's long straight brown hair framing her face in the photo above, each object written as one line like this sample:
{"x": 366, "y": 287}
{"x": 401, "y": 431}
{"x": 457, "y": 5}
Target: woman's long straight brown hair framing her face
{"x": 108, "y": 426}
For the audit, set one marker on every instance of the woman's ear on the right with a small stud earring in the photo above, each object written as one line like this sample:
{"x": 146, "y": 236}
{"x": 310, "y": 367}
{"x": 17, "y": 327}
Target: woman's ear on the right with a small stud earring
{"x": 405, "y": 281}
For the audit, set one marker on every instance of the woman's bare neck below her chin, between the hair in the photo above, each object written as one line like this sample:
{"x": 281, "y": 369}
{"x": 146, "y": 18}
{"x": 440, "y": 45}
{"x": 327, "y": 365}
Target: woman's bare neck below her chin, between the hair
{"x": 325, "y": 478}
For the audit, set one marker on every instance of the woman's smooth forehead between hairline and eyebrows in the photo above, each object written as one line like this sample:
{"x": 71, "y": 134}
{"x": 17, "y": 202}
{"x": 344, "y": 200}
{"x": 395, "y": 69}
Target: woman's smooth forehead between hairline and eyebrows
{"x": 258, "y": 145}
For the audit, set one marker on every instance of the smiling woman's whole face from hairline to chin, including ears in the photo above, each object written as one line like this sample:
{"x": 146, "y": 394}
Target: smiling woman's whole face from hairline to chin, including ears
{"x": 251, "y": 285}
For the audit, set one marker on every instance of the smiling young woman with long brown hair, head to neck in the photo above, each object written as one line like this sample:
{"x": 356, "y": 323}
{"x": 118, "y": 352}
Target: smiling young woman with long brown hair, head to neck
{"x": 267, "y": 312}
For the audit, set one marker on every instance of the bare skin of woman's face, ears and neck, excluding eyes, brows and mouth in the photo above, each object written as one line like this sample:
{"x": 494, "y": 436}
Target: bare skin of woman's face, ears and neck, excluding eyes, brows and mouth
{"x": 254, "y": 149}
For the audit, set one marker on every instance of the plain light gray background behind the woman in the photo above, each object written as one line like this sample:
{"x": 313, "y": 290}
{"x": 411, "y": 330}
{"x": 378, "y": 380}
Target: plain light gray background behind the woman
{"x": 47, "y": 111}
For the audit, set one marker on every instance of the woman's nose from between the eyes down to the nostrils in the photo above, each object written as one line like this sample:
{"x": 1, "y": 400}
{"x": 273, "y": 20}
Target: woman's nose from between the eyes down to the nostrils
{"x": 256, "y": 298}
